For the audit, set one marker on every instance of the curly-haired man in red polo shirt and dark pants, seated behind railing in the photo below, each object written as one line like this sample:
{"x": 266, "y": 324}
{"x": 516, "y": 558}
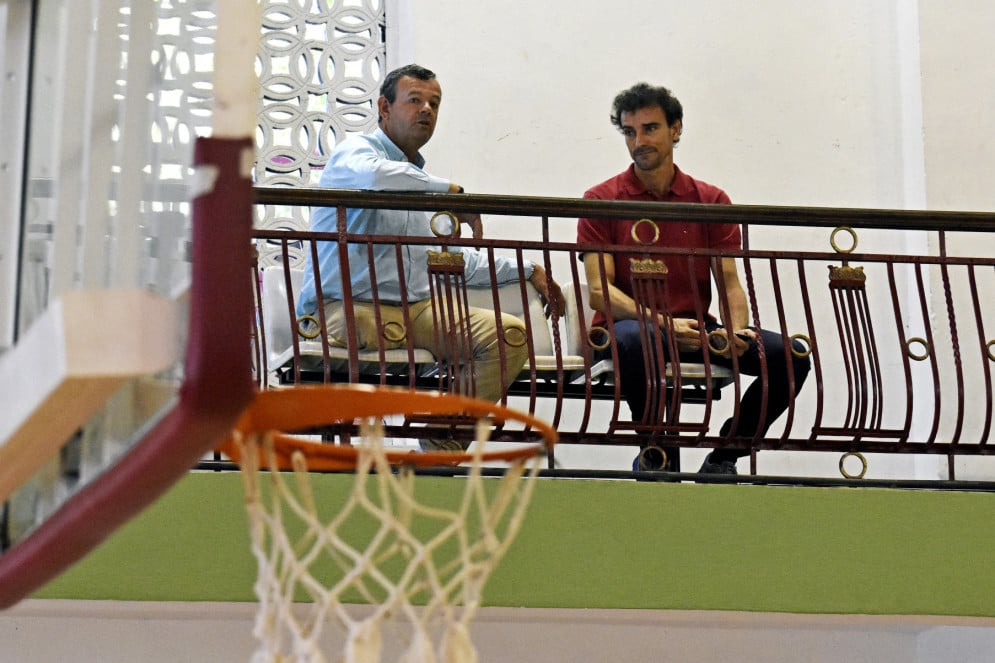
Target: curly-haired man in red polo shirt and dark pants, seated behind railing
{"x": 651, "y": 118}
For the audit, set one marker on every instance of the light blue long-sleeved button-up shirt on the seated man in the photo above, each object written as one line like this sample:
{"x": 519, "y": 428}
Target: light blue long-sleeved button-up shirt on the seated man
{"x": 373, "y": 162}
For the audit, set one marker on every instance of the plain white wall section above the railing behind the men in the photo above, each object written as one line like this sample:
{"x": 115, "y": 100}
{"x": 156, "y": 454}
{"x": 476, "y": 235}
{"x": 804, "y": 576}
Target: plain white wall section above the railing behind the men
{"x": 785, "y": 102}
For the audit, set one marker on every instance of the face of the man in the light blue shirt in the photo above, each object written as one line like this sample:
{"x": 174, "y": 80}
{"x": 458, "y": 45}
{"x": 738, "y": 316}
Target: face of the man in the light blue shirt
{"x": 410, "y": 120}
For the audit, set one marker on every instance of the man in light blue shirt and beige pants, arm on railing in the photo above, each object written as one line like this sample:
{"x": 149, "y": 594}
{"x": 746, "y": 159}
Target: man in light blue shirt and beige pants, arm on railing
{"x": 389, "y": 160}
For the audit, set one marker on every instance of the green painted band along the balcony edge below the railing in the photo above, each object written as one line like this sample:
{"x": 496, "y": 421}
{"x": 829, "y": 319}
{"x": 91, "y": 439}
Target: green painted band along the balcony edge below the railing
{"x": 620, "y": 544}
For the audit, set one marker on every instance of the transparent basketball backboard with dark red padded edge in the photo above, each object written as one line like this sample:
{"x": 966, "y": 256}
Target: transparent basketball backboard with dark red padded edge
{"x": 125, "y": 346}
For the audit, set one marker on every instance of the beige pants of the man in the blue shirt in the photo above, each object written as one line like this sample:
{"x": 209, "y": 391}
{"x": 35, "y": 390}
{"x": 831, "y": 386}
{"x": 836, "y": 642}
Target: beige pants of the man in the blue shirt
{"x": 488, "y": 352}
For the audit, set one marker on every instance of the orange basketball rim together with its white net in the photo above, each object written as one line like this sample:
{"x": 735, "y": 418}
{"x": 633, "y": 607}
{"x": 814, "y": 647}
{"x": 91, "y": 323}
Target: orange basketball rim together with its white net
{"x": 412, "y": 561}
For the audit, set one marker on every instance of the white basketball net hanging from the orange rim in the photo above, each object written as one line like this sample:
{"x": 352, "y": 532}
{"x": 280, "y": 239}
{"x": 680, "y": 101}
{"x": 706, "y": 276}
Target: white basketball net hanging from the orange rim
{"x": 382, "y": 557}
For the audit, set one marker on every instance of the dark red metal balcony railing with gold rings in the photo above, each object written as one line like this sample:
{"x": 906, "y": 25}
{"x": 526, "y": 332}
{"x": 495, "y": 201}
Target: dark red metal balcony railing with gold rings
{"x": 898, "y": 334}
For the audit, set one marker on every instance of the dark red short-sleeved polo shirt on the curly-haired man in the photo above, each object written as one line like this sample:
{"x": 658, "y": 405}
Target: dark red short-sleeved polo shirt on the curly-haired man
{"x": 597, "y": 233}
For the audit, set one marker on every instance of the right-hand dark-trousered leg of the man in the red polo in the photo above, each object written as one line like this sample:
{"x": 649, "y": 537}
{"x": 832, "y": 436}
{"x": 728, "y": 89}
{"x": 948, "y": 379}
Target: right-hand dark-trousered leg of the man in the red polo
{"x": 781, "y": 372}
